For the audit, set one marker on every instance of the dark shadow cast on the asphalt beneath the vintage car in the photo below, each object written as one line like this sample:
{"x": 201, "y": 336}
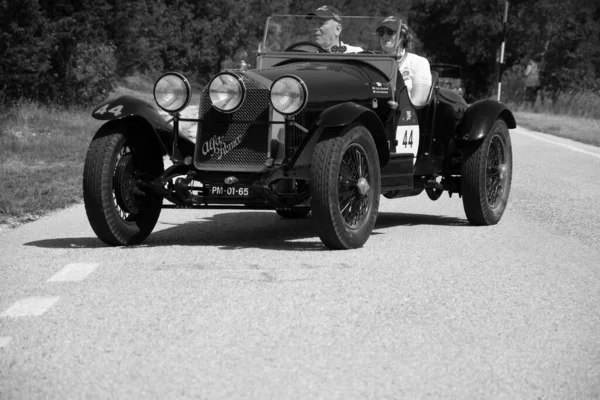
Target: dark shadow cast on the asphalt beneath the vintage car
{"x": 235, "y": 230}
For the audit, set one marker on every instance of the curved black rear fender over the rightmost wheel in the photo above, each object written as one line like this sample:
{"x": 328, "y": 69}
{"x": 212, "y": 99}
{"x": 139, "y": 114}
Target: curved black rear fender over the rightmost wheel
{"x": 479, "y": 118}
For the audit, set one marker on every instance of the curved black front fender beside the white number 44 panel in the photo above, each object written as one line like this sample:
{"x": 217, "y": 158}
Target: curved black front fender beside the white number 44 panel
{"x": 346, "y": 113}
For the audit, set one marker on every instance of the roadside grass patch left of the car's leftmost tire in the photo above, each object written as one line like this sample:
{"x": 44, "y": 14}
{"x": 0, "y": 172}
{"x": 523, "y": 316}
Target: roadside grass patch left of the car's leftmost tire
{"x": 42, "y": 150}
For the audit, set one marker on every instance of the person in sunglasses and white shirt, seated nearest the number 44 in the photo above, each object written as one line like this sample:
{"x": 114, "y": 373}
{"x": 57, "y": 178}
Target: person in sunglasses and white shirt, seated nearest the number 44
{"x": 415, "y": 70}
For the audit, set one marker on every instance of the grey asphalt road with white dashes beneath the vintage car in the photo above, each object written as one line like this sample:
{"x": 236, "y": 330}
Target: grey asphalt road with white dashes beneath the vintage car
{"x": 228, "y": 304}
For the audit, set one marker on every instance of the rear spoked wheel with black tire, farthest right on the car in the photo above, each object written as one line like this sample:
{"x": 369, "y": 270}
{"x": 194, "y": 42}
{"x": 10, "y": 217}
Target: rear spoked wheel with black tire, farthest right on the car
{"x": 486, "y": 177}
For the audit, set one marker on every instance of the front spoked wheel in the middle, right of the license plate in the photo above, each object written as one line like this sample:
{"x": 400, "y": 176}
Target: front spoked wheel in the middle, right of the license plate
{"x": 345, "y": 187}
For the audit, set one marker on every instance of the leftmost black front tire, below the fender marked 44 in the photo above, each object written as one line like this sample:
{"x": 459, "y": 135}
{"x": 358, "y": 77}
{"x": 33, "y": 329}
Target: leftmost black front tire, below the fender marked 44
{"x": 119, "y": 213}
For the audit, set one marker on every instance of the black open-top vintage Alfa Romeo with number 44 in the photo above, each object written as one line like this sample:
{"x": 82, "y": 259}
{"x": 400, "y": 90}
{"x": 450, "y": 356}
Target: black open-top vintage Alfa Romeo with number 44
{"x": 307, "y": 130}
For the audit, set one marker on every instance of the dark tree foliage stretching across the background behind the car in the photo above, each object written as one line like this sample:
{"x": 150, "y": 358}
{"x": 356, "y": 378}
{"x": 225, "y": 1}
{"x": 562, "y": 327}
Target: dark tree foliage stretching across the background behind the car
{"x": 72, "y": 51}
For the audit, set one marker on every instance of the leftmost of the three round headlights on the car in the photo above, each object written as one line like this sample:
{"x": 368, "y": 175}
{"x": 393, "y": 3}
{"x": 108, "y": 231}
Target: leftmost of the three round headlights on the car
{"x": 172, "y": 92}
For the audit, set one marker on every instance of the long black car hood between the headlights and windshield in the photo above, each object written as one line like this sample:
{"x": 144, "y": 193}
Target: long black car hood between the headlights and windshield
{"x": 330, "y": 81}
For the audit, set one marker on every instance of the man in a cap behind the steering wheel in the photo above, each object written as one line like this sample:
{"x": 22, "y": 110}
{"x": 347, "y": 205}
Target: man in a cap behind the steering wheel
{"x": 327, "y": 27}
